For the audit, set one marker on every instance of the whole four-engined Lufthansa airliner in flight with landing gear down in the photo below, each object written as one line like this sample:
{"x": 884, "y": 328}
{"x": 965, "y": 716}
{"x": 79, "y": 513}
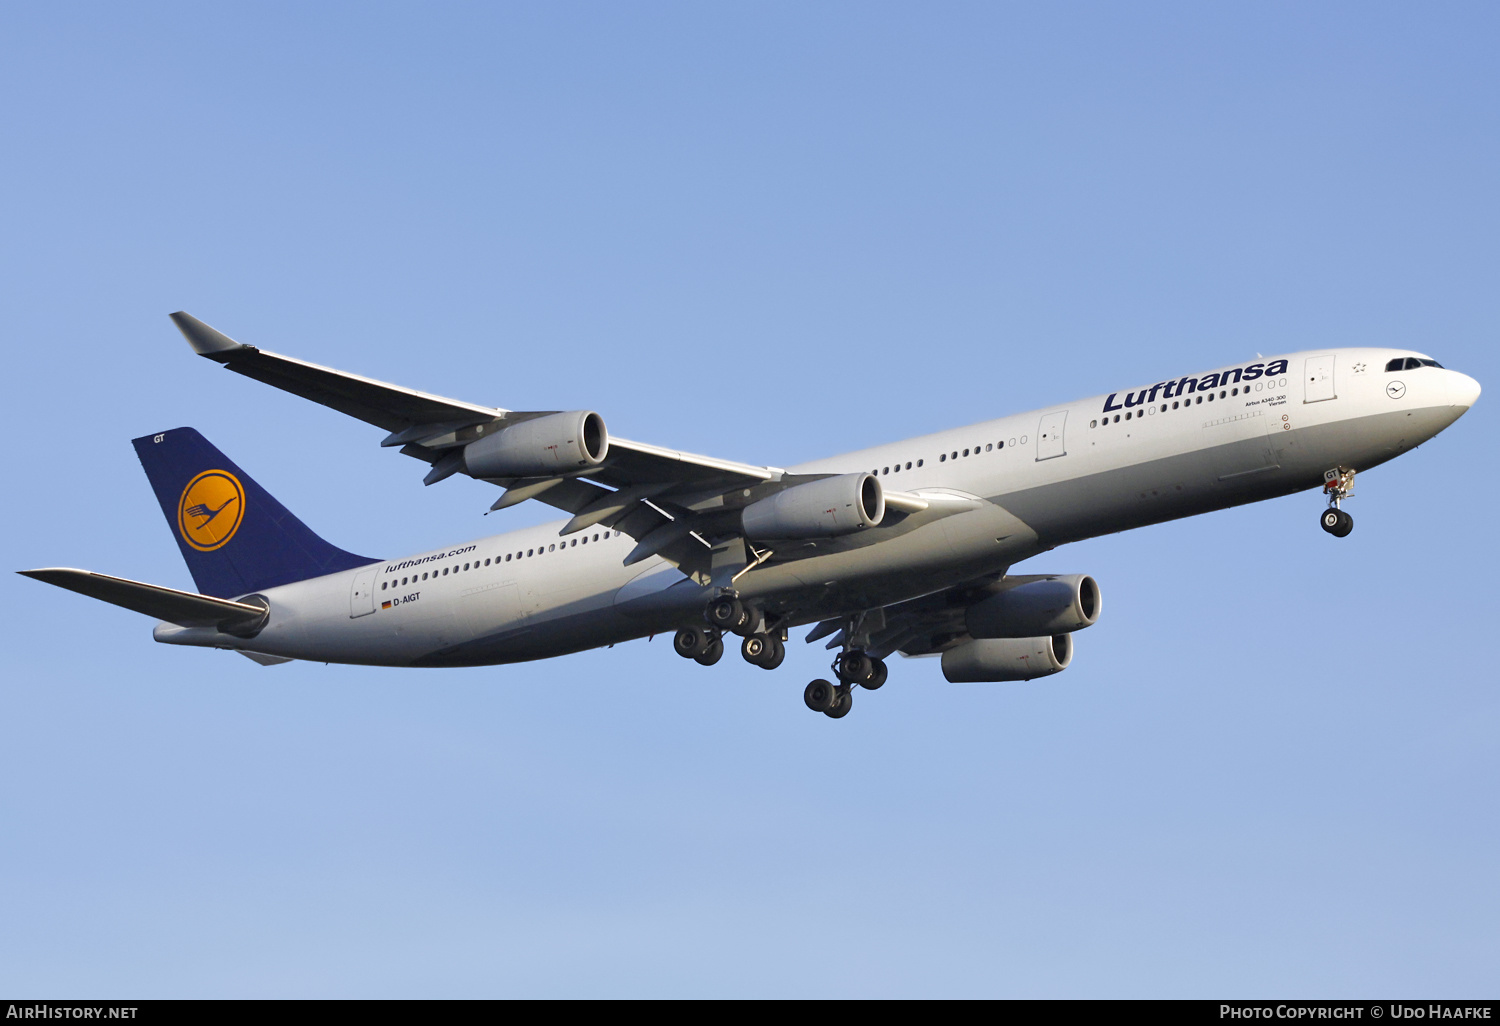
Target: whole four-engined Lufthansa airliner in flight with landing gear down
{"x": 901, "y": 548}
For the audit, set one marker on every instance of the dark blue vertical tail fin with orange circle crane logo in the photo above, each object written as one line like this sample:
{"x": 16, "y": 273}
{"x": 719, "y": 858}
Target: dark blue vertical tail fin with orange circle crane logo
{"x": 235, "y": 538}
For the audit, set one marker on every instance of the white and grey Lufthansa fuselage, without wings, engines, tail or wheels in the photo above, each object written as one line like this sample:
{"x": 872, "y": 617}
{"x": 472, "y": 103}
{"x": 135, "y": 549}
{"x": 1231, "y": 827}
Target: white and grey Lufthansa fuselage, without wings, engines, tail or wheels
{"x": 1058, "y": 475}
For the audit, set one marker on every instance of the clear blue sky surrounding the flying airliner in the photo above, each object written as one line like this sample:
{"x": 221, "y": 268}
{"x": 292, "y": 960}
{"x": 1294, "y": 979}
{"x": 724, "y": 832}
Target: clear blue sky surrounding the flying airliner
{"x": 769, "y": 233}
